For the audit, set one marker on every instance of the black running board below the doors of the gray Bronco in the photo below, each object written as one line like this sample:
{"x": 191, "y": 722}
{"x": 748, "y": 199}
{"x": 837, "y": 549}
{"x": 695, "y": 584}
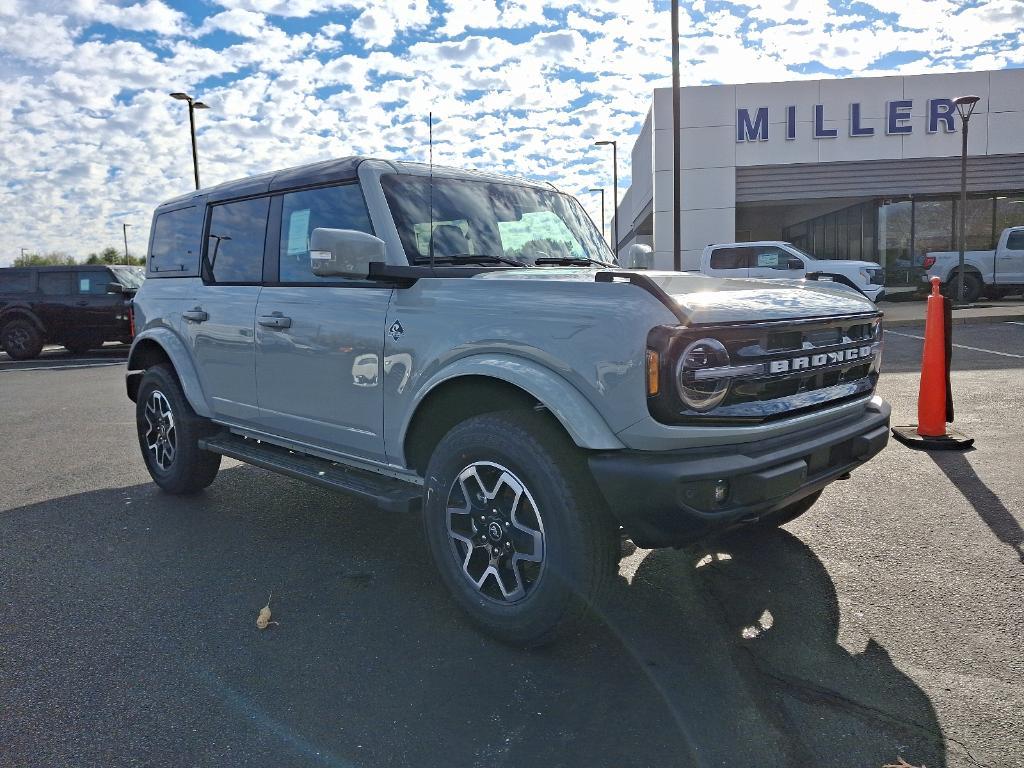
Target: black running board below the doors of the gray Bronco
{"x": 388, "y": 493}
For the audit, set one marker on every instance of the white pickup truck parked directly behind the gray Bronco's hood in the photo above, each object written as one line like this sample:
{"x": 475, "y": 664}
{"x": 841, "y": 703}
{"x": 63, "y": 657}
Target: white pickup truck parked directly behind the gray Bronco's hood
{"x": 772, "y": 259}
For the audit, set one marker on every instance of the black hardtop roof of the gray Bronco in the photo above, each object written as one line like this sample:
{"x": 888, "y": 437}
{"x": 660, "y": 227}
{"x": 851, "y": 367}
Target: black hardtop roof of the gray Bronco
{"x": 342, "y": 169}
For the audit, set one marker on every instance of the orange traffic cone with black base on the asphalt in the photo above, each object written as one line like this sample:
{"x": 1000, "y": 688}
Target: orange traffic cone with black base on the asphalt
{"x": 934, "y": 395}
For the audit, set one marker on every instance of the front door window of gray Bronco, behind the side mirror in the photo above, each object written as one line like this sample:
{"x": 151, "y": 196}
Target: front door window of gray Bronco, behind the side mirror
{"x": 302, "y": 212}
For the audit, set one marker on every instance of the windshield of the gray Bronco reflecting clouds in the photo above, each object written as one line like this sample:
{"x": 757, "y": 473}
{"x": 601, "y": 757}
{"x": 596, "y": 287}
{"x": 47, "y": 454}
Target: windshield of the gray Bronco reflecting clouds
{"x": 483, "y": 219}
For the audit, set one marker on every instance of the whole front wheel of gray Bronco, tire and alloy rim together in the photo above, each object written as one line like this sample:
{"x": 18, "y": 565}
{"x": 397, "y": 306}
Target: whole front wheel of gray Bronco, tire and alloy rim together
{"x": 516, "y": 527}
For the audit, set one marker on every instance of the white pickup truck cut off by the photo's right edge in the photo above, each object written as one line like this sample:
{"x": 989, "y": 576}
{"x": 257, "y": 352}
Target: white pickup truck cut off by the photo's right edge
{"x": 997, "y": 274}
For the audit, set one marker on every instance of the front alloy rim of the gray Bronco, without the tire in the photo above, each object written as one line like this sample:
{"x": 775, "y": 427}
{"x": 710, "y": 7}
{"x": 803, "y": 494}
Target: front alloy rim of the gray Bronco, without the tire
{"x": 496, "y": 532}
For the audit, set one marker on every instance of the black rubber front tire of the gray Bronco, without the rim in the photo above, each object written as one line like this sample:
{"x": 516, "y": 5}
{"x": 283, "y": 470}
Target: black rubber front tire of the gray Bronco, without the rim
{"x": 580, "y": 541}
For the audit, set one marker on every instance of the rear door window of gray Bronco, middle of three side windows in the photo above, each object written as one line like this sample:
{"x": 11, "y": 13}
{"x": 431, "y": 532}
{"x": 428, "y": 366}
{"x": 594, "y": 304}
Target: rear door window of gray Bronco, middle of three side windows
{"x": 235, "y": 243}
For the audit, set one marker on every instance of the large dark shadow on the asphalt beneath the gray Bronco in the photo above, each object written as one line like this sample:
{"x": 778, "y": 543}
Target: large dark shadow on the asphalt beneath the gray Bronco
{"x": 132, "y": 639}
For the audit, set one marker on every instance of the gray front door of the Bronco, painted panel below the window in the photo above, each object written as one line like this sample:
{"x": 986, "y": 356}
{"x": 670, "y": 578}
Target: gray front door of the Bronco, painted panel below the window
{"x": 319, "y": 370}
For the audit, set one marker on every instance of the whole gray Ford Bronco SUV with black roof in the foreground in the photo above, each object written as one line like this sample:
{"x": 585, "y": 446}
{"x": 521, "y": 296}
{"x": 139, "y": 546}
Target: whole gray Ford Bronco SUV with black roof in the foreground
{"x": 464, "y": 346}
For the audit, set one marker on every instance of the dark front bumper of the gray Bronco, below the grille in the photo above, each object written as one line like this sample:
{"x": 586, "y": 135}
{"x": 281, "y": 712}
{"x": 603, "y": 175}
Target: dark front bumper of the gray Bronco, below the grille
{"x": 668, "y": 499}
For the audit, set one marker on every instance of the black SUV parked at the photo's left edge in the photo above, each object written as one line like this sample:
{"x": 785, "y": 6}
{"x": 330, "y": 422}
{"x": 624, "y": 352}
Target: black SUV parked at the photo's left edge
{"x": 77, "y": 307}
